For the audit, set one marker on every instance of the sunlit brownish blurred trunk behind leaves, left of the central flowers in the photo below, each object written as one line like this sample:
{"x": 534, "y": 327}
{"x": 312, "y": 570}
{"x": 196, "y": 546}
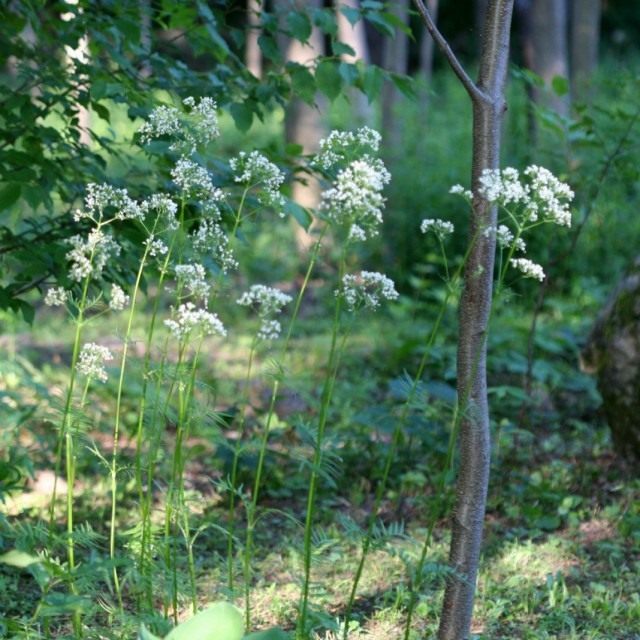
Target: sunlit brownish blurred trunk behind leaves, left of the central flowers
{"x": 303, "y": 122}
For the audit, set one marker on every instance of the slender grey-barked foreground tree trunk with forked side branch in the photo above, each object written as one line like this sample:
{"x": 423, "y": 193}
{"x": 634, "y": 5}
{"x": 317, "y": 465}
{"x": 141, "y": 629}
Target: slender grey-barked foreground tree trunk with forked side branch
{"x": 488, "y": 103}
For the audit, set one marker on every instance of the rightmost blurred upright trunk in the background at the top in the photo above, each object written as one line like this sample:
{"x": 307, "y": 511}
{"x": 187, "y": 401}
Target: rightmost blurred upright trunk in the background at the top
{"x": 585, "y": 36}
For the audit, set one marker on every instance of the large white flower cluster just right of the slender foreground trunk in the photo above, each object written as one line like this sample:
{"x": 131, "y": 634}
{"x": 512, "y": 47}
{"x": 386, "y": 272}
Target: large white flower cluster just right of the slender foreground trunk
{"x": 542, "y": 197}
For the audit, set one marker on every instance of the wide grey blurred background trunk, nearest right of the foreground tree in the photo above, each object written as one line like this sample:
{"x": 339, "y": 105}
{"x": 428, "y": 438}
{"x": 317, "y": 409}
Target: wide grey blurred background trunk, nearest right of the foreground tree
{"x": 549, "y": 50}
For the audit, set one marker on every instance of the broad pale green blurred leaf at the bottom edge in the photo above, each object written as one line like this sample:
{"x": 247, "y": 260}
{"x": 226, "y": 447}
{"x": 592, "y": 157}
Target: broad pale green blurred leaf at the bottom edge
{"x": 220, "y": 621}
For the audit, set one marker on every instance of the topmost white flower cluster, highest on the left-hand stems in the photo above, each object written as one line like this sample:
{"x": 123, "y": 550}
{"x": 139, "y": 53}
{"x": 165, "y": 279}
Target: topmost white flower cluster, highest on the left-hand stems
{"x": 189, "y": 130}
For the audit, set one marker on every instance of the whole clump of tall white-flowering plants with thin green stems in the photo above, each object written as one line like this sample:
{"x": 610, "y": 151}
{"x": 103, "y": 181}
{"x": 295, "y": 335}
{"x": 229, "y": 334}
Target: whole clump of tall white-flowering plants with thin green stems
{"x": 190, "y": 278}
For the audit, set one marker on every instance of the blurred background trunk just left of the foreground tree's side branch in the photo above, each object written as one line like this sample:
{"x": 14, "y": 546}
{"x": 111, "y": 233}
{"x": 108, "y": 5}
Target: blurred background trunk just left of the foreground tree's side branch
{"x": 396, "y": 52}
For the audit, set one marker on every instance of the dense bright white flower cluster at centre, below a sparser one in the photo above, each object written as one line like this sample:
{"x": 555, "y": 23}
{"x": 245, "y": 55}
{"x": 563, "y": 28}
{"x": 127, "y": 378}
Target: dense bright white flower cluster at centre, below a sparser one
{"x": 356, "y": 198}
